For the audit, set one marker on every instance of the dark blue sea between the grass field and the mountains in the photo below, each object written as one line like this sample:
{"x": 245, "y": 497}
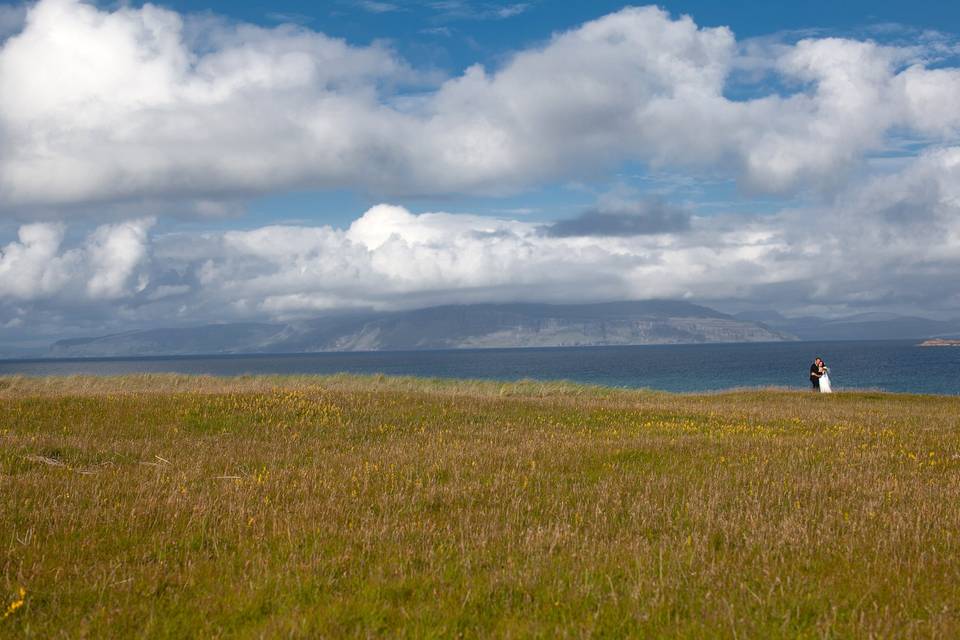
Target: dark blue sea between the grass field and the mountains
{"x": 889, "y": 365}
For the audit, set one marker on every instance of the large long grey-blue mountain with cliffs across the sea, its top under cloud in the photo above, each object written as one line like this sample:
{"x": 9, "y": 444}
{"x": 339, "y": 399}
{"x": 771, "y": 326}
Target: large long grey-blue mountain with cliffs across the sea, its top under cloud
{"x": 446, "y": 327}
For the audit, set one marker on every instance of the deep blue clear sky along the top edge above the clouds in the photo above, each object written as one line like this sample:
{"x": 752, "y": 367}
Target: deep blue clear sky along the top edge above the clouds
{"x": 454, "y": 34}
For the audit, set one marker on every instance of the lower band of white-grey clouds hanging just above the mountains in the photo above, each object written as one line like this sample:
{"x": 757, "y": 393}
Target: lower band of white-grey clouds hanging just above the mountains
{"x": 892, "y": 241}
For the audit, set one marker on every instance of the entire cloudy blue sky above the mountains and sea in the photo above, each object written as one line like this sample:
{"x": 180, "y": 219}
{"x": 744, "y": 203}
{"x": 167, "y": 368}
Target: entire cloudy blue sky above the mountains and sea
{"x": 183, "y": 163}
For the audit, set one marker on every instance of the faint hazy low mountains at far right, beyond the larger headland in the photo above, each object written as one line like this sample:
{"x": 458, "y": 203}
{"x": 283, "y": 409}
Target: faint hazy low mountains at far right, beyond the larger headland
{"x": 864, "y": 326}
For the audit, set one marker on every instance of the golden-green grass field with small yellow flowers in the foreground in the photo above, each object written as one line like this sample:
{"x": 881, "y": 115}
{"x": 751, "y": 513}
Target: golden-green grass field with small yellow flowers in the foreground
{"x": 173, "y": 506}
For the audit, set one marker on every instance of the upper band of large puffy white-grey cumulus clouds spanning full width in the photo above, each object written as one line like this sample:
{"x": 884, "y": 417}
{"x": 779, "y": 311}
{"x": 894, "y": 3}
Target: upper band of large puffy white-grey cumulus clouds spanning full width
{"x": 140, "y": 103}
